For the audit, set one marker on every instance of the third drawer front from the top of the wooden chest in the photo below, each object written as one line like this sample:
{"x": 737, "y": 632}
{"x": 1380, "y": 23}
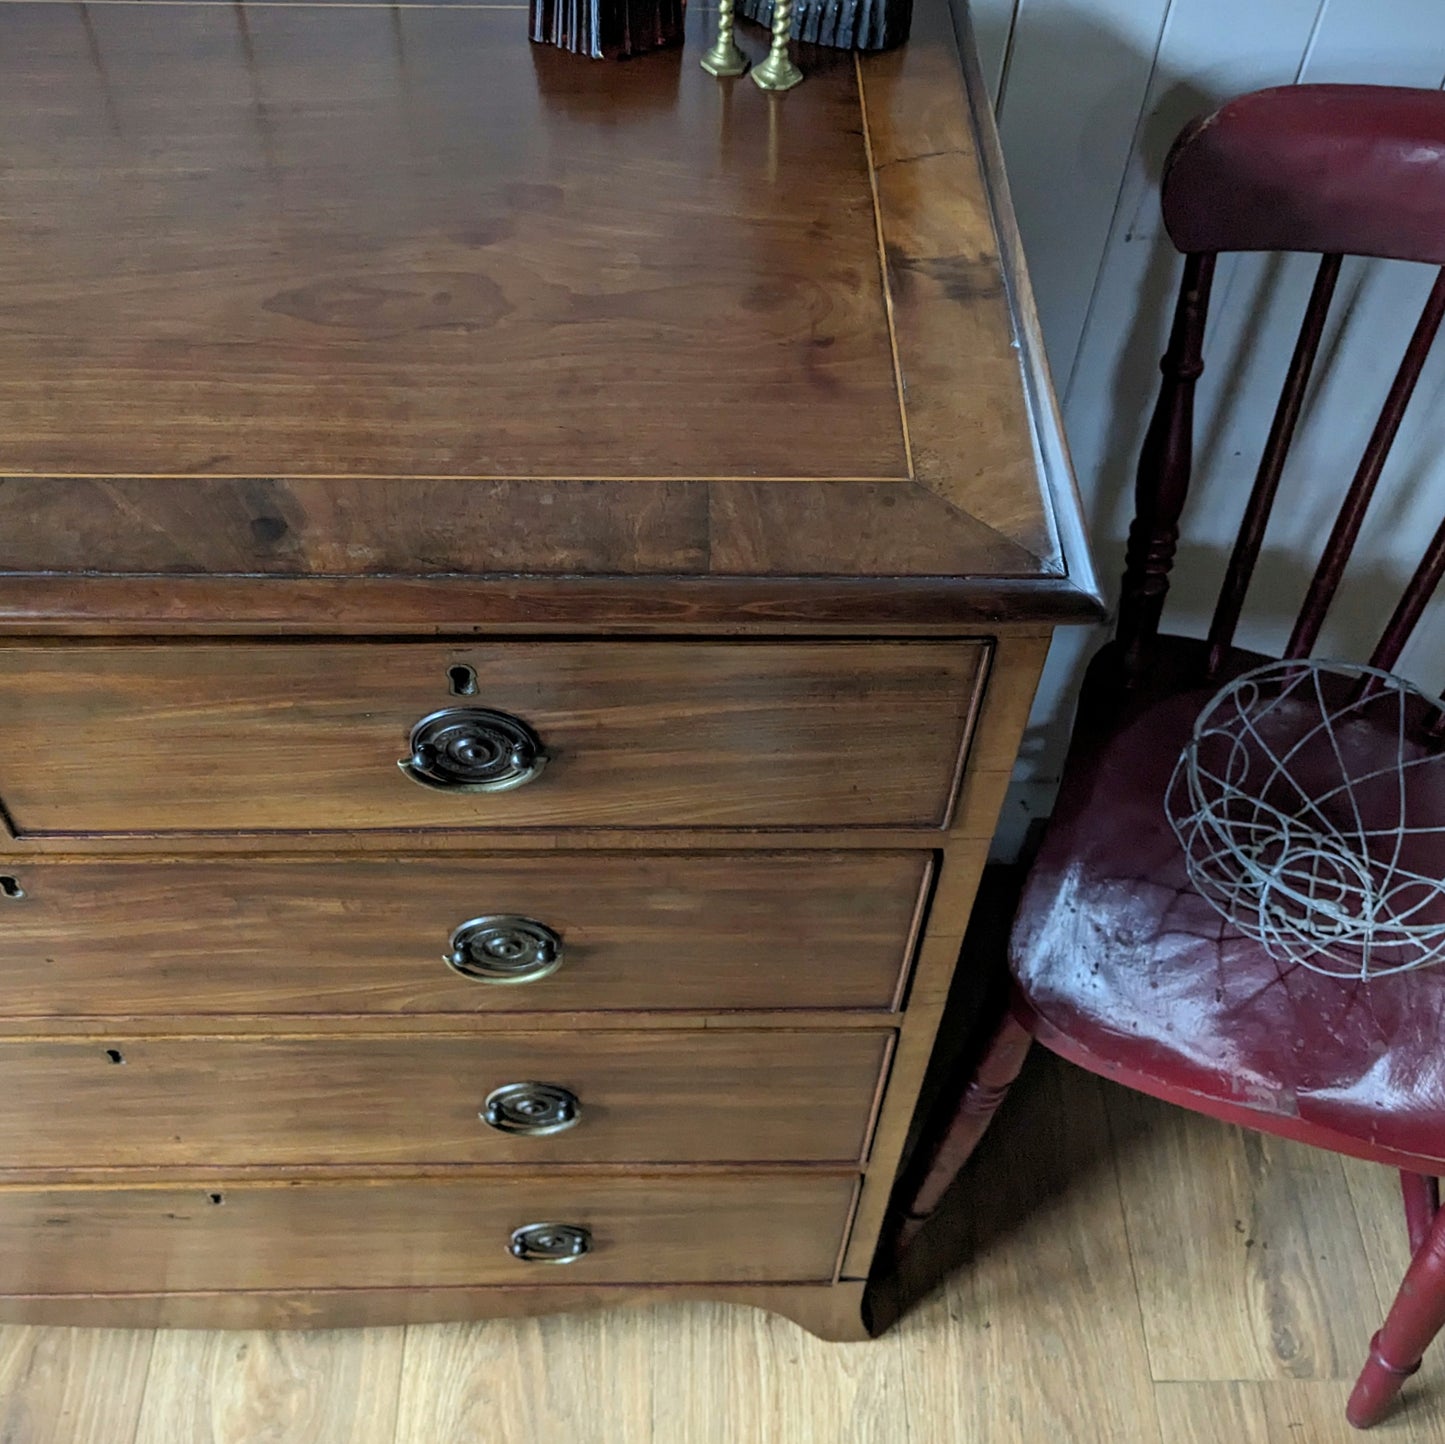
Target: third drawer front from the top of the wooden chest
{"x": 661, "y": 1098}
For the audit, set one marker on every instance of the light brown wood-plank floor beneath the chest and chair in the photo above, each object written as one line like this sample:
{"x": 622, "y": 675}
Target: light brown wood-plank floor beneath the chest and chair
{"x": 1141, "y": 1276}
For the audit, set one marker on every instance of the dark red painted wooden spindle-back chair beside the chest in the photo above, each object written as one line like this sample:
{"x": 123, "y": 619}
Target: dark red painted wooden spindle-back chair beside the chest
{"x": 1119, "y": 965}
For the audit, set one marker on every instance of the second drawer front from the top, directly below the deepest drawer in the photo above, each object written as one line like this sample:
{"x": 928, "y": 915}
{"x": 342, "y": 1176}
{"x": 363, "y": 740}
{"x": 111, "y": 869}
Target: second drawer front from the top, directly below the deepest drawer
{"x": 641, "y": 932}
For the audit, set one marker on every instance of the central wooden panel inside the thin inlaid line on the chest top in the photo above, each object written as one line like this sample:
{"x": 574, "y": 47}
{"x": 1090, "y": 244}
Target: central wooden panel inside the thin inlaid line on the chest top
{"x": 407, "y": 245}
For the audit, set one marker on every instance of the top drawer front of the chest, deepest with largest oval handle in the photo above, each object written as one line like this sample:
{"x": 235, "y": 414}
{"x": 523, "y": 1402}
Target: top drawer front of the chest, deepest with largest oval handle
{"x": 108, "y": 739}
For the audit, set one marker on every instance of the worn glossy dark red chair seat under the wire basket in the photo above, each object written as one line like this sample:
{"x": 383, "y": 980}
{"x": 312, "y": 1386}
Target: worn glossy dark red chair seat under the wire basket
{"x": 1125, "y": 969}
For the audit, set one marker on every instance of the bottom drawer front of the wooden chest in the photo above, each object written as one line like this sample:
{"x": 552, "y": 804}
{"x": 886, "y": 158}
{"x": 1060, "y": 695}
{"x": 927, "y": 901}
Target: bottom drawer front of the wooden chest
{"x": 658, "y": 1229}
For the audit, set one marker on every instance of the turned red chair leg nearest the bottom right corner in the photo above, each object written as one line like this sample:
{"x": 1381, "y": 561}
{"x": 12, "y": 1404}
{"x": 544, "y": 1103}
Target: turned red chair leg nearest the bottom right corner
{"x": 1418, "y": 1312}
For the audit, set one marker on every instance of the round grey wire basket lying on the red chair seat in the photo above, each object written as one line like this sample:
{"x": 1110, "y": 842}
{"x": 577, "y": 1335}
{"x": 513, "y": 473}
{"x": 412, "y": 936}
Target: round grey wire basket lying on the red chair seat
{"x": 1311, "y": 809}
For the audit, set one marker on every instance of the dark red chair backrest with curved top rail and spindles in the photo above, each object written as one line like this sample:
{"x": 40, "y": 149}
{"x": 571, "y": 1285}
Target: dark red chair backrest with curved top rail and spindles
{"x": 1333, "y": 170}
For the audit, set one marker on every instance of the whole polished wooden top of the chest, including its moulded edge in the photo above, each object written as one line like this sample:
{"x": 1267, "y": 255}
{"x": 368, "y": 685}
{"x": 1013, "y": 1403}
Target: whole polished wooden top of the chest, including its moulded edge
{"x": 371, "y": 317}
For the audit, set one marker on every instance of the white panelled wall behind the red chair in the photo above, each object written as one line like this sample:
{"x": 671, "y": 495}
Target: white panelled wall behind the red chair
{"x": 1089, "y": 96}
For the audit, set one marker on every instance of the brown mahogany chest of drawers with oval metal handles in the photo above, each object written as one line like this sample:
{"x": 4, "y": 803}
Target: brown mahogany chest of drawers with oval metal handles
{"x": 521, "y": 586}
